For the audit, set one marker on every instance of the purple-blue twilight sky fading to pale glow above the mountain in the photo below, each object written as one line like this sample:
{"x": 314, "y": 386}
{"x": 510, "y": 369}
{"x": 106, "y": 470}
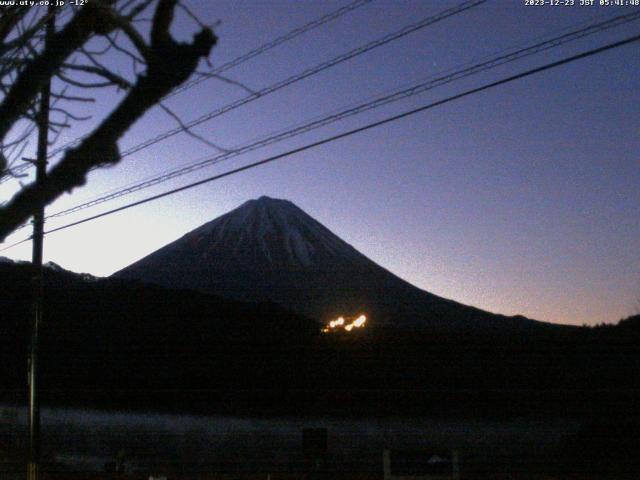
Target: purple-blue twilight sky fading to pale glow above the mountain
{"x": 523, "y": 199}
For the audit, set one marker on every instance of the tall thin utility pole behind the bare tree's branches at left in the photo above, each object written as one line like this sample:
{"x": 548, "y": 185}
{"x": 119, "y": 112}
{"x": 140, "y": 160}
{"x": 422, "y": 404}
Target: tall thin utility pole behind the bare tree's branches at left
{"x": 36, "y": 259}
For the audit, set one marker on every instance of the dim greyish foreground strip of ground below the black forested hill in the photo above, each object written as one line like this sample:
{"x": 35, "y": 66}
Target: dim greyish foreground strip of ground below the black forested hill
{"x": 81, "y": 444}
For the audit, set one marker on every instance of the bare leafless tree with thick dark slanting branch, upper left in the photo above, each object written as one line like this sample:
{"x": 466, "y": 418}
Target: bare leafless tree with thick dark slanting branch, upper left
{"x": 159, "y": 64}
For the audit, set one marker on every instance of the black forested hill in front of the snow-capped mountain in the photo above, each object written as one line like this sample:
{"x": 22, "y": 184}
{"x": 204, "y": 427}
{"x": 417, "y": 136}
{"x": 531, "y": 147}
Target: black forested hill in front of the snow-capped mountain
{"x": 121, "y": 344}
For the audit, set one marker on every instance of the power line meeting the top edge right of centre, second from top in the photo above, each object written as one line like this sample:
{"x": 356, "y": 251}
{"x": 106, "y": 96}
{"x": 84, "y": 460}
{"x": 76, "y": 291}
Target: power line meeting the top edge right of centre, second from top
{"x": 308, "y": 73}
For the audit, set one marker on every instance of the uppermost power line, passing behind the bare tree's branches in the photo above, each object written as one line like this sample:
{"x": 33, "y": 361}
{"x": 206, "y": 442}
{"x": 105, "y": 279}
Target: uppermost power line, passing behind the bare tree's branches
{"x": 296, "y": 32}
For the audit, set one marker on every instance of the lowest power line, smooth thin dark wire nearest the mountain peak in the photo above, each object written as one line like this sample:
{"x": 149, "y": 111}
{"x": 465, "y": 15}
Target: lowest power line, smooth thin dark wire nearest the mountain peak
{"x": 349, "y": 133}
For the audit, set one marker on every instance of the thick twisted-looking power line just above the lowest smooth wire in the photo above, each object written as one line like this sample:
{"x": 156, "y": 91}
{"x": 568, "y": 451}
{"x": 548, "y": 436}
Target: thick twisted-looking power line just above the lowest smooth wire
{"x": 376, "y": 103}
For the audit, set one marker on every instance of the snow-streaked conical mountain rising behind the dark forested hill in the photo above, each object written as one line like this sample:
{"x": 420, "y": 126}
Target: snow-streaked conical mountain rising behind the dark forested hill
{"x": 269, "y": 249}
